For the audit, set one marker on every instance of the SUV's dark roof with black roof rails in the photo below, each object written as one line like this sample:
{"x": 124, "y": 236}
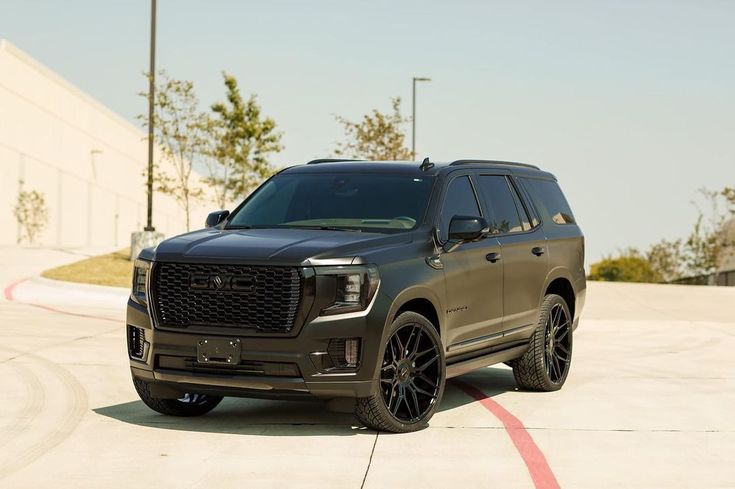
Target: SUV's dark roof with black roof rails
{"x": 410, "y": 167}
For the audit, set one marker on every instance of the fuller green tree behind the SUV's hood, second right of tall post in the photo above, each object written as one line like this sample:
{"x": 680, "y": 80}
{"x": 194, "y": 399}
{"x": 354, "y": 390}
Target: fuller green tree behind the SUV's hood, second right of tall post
{"x": 243, "y": 142}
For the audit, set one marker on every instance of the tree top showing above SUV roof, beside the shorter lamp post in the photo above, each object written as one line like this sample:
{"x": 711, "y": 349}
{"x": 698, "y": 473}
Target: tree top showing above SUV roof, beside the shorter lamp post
{"x": 378, "y": 136}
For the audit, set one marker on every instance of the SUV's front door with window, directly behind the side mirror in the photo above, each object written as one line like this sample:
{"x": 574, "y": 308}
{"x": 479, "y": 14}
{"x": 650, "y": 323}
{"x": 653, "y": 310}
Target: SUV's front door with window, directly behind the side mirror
{"x": 474, "y": 297}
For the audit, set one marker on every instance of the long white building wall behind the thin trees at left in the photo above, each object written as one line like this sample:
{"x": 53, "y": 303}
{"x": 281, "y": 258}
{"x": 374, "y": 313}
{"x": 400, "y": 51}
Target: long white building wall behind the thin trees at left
{"x": 86, "y": 160}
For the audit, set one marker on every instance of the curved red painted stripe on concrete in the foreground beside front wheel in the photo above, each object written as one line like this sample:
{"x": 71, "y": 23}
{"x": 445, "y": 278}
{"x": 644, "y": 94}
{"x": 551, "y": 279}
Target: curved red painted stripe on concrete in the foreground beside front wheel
{"x": 538, "y": 467}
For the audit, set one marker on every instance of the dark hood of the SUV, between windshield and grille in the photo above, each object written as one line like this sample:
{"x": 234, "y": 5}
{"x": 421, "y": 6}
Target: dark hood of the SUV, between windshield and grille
{"x": 275, "y": 246}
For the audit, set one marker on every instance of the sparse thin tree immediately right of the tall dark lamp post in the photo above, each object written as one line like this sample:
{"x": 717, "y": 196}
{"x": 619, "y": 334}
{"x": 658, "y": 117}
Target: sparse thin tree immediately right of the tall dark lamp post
{"x": 181, "y": 131}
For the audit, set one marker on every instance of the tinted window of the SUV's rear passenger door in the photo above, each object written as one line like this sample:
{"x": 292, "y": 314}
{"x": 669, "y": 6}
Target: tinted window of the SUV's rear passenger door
{"x": 500, "y": 202}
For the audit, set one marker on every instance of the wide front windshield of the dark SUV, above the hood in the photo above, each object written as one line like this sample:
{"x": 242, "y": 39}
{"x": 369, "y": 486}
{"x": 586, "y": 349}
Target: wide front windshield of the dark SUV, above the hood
{"x": 339, "y": 201}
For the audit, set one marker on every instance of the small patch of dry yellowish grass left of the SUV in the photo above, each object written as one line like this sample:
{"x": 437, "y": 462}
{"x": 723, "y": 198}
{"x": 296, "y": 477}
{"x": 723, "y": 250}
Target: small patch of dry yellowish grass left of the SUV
{"x": 114, "y": 269}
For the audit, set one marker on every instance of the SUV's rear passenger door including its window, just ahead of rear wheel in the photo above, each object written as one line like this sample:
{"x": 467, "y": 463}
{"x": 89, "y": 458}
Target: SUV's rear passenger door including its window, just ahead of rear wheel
{"x": 523, "y": 251}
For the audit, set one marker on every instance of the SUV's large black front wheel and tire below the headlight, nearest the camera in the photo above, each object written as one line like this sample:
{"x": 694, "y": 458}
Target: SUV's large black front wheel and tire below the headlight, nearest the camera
{"x": 411, "y": 378}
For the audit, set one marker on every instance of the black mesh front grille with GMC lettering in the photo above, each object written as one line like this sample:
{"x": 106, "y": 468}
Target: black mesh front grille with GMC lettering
{"x": 231, "y": 296}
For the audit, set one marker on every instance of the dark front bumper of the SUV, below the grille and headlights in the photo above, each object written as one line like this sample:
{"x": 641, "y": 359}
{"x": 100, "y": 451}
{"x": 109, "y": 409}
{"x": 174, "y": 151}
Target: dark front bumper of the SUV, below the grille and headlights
{"x": 269, "y": 367}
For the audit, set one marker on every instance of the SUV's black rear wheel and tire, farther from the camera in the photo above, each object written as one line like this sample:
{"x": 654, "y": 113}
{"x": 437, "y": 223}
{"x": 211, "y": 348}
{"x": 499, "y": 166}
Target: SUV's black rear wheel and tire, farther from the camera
{"x": 545, "y": 366}
